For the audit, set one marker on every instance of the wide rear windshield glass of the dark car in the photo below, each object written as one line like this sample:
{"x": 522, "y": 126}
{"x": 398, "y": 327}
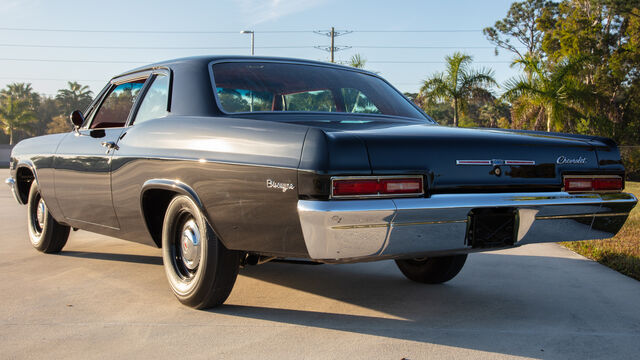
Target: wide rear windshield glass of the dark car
{"x": 266, "y": 87}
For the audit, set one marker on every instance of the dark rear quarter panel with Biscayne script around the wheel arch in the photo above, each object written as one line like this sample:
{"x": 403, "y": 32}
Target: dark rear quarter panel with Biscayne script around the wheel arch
{"x": 227, "y": 163}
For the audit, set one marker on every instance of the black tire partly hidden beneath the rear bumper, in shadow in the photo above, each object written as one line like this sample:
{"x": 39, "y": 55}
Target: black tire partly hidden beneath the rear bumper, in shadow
{"x": 436, "y": 270}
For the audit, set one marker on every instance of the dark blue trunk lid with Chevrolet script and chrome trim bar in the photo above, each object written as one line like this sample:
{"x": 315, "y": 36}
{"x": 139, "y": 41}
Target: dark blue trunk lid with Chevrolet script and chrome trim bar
{"x": 461, "y": 160}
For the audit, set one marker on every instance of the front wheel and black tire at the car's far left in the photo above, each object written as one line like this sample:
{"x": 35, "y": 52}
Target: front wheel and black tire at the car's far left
{"x": 45, "y": 233}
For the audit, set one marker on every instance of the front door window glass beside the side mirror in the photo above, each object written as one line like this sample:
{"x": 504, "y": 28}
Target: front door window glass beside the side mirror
{"x": 117, "y": 105}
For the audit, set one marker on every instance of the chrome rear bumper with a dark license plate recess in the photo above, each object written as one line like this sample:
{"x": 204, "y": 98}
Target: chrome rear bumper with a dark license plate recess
{"x": 387, "y": 228}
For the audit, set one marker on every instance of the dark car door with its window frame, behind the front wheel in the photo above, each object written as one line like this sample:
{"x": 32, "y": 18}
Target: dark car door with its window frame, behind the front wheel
{"x": 83, "y": 160}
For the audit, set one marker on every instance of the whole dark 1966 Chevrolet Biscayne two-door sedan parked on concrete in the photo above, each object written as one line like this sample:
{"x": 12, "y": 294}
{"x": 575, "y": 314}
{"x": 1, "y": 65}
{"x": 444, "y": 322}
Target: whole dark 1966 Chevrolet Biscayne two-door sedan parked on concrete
{"x": 228, "y": 161}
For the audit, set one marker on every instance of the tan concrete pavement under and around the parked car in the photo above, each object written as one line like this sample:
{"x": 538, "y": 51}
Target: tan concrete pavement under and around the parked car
{"x": 106, "y": 298}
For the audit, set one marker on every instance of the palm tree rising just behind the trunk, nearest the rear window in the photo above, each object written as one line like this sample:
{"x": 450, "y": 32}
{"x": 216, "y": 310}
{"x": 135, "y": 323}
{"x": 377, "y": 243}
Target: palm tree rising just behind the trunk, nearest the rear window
{"x": 457, "y": 84}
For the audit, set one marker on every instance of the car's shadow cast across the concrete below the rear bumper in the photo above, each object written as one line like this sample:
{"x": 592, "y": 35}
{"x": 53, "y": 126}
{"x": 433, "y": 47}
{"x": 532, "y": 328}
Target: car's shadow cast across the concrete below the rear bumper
{"x": 509, "y": 304}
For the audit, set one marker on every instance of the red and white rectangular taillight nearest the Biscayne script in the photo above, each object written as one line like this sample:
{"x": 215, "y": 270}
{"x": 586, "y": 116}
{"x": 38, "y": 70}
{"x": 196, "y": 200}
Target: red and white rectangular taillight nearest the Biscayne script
{"x": 377, "y": 187}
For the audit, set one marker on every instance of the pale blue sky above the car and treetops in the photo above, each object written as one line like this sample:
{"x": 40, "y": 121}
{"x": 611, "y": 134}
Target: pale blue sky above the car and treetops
{"x": 48, "y": 43}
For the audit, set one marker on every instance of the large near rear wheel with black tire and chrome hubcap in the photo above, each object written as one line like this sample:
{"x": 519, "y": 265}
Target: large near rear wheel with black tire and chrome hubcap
{"x": 201, "y": 276}
